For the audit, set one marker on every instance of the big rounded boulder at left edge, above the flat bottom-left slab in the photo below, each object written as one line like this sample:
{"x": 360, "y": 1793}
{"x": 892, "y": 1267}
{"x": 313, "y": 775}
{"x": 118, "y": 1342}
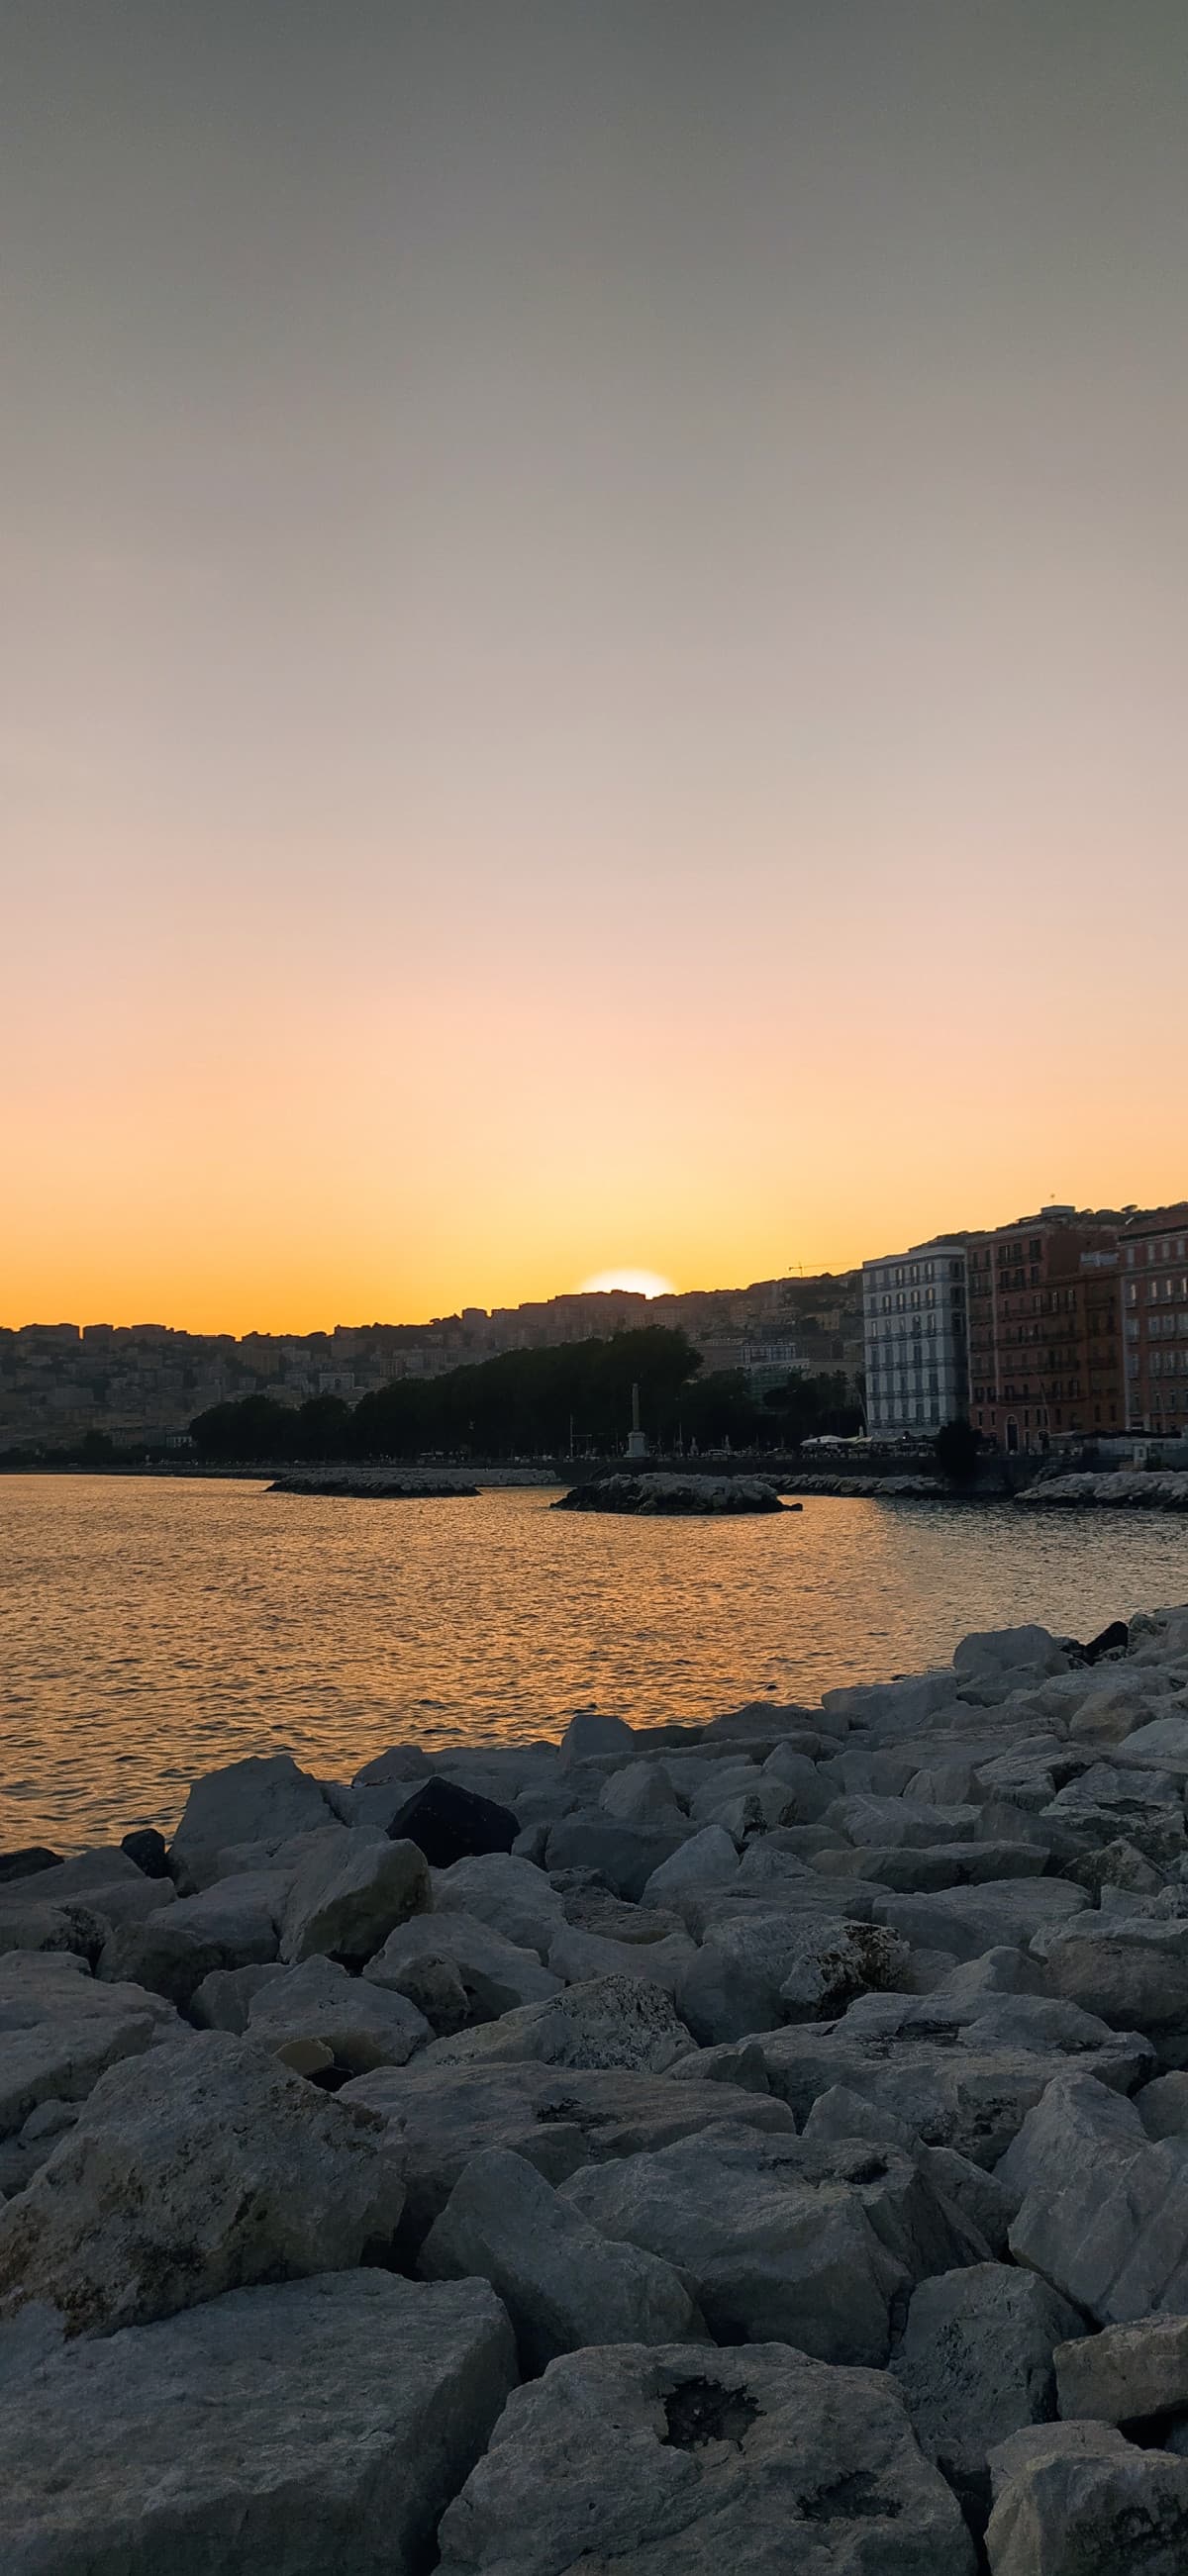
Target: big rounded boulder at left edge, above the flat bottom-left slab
{"x": 197, "y": 2170}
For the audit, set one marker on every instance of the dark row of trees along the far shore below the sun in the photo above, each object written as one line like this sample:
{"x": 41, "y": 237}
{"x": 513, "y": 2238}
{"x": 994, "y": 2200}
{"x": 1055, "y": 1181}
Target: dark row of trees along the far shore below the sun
{"x": 537, "y": 1405}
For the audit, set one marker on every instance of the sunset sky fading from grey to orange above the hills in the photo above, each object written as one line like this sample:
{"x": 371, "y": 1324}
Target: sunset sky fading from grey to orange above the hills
{"x": 594, "y": 653}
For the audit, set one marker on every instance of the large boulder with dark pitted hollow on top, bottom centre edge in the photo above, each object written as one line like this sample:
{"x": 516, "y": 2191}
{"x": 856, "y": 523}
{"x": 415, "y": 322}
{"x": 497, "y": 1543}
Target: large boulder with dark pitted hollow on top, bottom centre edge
{"x": 682, "y": 2464}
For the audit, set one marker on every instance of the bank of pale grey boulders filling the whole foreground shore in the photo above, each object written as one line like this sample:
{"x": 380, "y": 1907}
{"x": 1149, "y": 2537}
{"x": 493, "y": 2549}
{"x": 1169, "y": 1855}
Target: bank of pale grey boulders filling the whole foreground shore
{"x": 749, "y": 2145}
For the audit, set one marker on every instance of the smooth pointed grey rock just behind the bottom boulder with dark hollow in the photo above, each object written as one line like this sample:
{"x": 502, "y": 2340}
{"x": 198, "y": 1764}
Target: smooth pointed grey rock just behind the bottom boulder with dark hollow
{"x": 560, "y": 2278}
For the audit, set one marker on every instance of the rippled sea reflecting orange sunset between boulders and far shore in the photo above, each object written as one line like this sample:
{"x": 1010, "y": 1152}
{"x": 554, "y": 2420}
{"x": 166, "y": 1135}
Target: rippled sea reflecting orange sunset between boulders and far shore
{"x": 151, "y": 1632}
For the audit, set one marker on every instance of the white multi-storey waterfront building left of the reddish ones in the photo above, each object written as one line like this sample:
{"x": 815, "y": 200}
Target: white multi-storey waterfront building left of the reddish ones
{"x": 916, "y": 1341}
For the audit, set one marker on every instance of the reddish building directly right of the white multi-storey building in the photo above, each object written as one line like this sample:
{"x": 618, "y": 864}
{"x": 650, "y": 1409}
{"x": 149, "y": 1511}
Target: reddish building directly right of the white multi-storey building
{"x": 1045, "y": 1328}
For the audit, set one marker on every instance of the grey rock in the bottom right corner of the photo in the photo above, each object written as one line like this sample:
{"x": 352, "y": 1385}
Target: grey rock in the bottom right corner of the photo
{"x": 1078, "y": 2500}
